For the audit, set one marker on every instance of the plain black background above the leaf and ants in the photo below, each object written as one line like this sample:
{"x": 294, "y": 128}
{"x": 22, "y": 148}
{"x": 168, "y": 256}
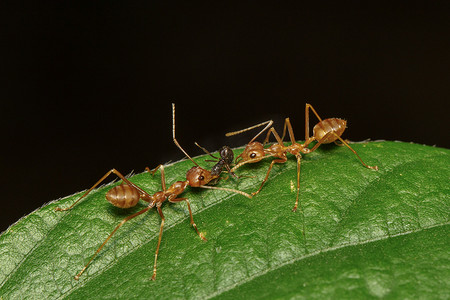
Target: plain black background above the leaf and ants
{"x": 86, "y": 87}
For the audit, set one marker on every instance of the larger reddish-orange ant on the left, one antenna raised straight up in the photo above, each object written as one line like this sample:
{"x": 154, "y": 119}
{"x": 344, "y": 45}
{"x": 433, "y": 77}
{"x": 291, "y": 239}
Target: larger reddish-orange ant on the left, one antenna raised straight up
{"x": 128, "y": 194}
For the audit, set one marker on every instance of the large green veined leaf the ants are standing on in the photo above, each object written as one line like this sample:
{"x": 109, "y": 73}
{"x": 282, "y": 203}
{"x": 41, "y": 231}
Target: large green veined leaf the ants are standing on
{"x": 368, "y": 234}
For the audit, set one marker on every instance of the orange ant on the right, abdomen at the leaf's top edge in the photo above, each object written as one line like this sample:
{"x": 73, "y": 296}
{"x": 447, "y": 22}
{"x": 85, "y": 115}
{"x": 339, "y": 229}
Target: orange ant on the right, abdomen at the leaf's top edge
{"x": 324, "y": 132}
